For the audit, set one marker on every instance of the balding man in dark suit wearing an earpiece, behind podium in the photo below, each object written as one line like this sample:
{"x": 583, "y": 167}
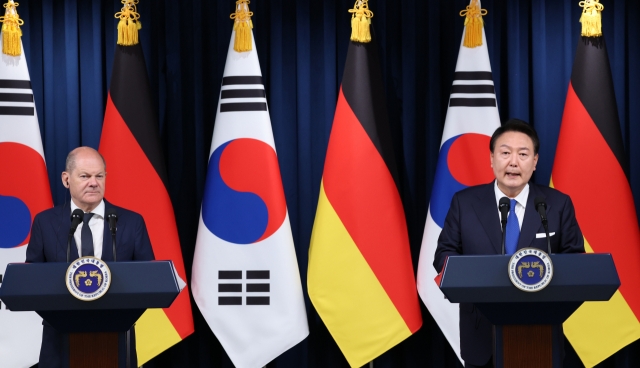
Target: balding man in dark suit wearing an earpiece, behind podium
{"x": 85, "y": 177}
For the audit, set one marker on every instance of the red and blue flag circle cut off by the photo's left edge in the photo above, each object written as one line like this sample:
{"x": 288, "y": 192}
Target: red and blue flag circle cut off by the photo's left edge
{"x": 24, "y": 192}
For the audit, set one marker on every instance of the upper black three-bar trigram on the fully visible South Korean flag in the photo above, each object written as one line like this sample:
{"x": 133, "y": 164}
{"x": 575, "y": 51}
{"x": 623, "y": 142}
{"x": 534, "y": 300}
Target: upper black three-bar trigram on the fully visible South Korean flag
{"x": 242, "y": 93}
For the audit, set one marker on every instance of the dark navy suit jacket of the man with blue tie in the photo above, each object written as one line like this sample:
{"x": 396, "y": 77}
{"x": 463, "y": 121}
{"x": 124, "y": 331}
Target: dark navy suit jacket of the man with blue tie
{"x": 472, "y": 226}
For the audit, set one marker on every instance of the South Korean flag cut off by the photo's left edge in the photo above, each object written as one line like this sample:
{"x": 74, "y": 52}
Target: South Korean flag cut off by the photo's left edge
{"x": 24, "y": 192}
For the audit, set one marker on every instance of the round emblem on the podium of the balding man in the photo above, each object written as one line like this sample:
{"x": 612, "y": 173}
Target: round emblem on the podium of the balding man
{"x": 88, "y": 278}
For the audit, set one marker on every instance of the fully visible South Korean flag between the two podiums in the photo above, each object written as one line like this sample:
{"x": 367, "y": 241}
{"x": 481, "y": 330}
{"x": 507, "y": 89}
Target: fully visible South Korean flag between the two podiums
{"x": 245, "y": 273}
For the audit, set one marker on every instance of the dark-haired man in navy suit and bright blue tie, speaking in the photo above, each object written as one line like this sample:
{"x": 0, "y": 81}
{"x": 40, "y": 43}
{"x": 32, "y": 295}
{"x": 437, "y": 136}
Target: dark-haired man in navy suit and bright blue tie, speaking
{"x": 472, "y": 225}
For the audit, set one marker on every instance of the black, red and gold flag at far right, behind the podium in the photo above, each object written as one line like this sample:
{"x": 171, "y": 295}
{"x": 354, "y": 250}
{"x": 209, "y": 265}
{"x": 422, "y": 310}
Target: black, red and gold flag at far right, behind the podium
{"x": 591, "y": 167}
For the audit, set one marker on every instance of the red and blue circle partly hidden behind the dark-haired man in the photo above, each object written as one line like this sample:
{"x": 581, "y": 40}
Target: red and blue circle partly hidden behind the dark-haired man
{"x": 463, "y": 162}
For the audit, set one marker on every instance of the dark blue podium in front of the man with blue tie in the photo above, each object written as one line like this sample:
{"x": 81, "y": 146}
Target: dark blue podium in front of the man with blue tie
{"x": 524, "y": 333}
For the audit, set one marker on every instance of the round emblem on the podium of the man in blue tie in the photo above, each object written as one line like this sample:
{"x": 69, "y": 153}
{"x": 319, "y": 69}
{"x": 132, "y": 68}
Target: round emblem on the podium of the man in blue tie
{"x": 530, "y": 269}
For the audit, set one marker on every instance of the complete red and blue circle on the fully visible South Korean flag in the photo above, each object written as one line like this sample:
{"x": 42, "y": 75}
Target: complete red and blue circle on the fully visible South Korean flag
{"x": 244, "y": 201}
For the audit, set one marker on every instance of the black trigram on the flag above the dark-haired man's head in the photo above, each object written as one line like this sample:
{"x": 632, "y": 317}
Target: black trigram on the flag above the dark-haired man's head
{"x": 473, "y": 89}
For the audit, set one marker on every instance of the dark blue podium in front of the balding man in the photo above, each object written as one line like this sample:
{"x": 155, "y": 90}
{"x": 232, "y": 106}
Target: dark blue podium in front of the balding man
{"x": 93, "y": 326}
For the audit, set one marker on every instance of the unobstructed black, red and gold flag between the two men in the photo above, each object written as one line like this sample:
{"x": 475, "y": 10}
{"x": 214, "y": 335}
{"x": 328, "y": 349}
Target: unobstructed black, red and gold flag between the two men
{"x": 360, "y": 276}
